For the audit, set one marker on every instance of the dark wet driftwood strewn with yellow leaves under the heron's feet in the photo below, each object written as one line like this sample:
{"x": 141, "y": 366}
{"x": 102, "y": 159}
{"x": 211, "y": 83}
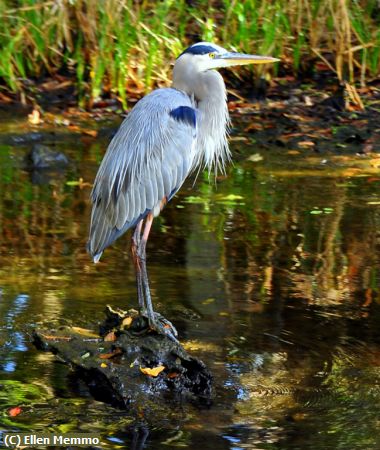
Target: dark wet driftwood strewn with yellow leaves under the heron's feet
{"x": 126, "y": 364}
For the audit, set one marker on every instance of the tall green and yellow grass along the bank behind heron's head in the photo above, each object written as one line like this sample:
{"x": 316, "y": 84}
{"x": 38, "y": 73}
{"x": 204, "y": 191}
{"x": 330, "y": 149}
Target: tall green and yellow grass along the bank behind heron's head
{"x": 110, "y": 48}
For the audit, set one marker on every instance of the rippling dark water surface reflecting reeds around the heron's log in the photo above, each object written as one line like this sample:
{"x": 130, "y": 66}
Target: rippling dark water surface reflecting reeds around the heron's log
{"x": 271, "y": 277}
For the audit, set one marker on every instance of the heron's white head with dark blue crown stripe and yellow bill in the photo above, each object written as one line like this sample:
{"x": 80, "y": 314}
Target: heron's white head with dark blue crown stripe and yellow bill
{"x": 207, "y": 56}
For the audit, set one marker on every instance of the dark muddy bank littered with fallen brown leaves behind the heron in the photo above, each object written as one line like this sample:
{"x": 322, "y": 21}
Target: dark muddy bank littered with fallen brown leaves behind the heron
{"x": 315, "y": 117}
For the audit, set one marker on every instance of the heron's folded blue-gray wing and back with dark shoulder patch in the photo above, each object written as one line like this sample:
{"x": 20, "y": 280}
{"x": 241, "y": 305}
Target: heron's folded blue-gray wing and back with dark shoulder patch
{"x": 147, "y": 160}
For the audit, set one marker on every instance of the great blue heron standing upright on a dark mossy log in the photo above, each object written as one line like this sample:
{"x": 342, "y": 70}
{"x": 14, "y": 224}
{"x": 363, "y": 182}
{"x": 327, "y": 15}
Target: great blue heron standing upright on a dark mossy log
{"x": 167, "y": 135}
